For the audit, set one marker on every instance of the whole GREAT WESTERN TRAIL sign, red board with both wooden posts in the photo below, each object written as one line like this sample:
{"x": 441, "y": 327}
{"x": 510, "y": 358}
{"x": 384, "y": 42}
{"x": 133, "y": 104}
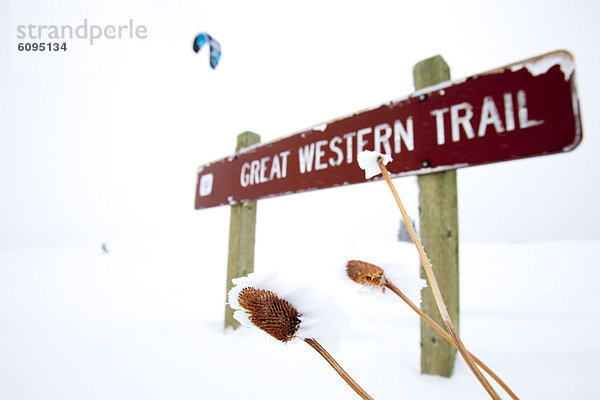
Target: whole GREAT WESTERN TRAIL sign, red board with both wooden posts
{"x": 525, "y": 109}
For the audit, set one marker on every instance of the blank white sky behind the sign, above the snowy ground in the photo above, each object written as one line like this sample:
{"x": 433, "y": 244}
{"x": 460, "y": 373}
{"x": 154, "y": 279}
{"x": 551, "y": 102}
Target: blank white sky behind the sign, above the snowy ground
{"x": 101, "y": 143}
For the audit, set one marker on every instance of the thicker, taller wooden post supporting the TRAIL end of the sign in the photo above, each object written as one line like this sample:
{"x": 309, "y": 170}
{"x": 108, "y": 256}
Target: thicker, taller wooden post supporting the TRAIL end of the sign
{"x": 438, "y": 215}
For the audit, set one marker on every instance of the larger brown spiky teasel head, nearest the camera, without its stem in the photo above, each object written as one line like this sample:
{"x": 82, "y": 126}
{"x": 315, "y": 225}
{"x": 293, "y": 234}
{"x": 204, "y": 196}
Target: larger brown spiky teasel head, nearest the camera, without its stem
{"x": 268, "y": 312}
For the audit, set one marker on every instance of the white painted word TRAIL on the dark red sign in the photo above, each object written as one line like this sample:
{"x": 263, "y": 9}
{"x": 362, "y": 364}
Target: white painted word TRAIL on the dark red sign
{"x": 461, "y": 115}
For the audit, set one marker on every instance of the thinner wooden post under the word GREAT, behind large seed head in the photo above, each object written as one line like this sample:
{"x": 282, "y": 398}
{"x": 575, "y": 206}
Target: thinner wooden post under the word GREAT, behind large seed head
{"x": 242, "y": 229}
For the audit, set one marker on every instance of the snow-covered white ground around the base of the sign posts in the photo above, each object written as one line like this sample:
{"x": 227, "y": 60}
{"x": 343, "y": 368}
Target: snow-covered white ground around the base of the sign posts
{"x": 145, "y": 322}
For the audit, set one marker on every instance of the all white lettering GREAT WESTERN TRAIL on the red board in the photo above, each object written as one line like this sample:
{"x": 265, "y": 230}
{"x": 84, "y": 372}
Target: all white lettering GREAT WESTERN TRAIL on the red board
{"x": 495, "y": 116}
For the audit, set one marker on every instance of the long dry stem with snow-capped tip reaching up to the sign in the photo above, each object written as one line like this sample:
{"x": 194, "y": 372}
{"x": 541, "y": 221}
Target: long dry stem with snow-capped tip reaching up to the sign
{"x": 436, "y": 290}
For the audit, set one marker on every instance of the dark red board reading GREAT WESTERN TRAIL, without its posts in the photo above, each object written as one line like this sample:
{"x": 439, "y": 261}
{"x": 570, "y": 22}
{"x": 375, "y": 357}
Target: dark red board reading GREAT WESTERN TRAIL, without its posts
{"x": 526, "y": 109}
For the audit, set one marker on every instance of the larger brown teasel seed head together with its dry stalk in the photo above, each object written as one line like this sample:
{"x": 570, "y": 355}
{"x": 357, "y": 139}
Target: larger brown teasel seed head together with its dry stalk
{"x": 281, "y": 320}
